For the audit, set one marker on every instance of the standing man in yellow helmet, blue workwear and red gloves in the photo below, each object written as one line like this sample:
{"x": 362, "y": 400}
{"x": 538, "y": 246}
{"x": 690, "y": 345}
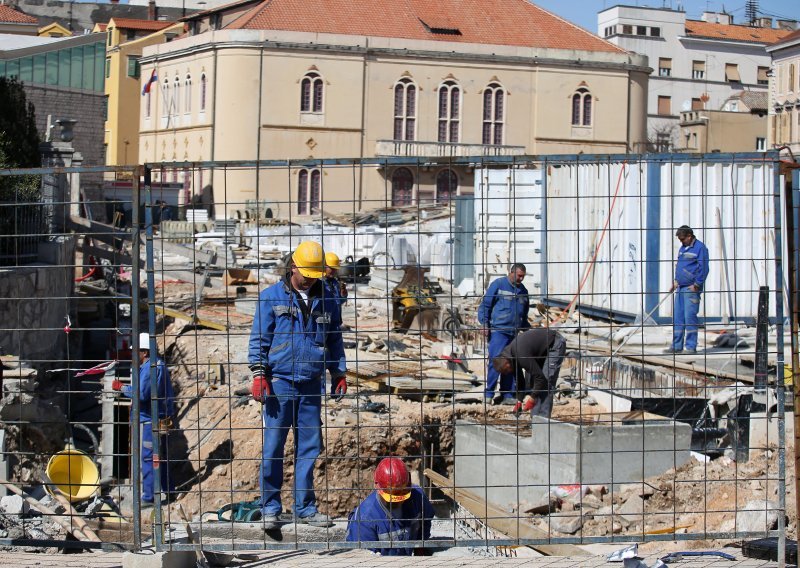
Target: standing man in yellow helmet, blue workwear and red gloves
{"x": 295, "y": 337}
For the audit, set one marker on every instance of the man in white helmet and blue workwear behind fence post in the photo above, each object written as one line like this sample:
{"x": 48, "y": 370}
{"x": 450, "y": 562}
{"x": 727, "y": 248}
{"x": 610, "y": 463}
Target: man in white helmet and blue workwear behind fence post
{"x": 164, "y": 421}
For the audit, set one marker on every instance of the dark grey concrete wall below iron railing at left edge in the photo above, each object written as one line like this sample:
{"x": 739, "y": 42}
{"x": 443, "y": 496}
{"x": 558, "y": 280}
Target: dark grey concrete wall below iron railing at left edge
{"x": 34, "y": 301}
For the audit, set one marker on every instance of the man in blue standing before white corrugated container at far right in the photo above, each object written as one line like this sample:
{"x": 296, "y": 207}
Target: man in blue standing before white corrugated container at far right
{"x": 691, "y": 271}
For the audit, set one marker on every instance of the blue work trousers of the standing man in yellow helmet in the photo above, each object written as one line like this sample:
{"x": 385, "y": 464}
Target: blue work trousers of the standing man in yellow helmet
{"x": 294, "y": 405}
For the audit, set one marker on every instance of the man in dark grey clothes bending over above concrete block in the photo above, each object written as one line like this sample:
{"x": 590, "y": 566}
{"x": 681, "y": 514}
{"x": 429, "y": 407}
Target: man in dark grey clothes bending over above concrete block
{"x": 534, "y": 358}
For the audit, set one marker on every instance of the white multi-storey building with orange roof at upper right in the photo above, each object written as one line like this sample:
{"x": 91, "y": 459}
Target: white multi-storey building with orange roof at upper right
{"x": 697, "y": 64}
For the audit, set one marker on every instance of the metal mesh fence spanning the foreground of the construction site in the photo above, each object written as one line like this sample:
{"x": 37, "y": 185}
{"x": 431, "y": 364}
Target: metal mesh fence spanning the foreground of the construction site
{"x": 518, "y": 332}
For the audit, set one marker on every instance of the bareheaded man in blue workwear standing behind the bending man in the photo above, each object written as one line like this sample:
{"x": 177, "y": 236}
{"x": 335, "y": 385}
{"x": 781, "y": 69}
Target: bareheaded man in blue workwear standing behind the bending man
{"x": 503, "y": 313}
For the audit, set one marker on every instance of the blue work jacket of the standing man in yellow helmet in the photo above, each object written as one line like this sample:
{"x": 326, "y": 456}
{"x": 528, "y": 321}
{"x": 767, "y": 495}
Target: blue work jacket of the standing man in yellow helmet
{"x": 293, "y": 342}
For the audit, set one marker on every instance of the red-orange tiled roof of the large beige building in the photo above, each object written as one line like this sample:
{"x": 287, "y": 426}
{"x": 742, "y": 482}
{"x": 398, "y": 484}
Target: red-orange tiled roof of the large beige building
{"x": 494, "y": 22}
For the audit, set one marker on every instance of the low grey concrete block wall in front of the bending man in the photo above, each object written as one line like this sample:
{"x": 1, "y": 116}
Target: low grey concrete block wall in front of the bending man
{"x": 505, "y": 469}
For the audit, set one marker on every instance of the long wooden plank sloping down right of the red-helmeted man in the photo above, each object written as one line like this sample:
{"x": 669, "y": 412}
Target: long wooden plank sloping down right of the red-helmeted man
{"x": 498, "y": 519}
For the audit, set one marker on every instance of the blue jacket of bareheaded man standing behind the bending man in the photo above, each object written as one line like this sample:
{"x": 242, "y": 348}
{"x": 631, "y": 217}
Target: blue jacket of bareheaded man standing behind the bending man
{"x": 504, "y": 307}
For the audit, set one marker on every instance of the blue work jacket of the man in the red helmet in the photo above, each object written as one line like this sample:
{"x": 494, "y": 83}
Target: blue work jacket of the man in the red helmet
{"x": 374, "y": 520}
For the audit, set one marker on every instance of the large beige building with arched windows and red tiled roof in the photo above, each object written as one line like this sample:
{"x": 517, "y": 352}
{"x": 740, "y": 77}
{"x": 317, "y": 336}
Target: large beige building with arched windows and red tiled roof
{"x": 292, "y": 79}
